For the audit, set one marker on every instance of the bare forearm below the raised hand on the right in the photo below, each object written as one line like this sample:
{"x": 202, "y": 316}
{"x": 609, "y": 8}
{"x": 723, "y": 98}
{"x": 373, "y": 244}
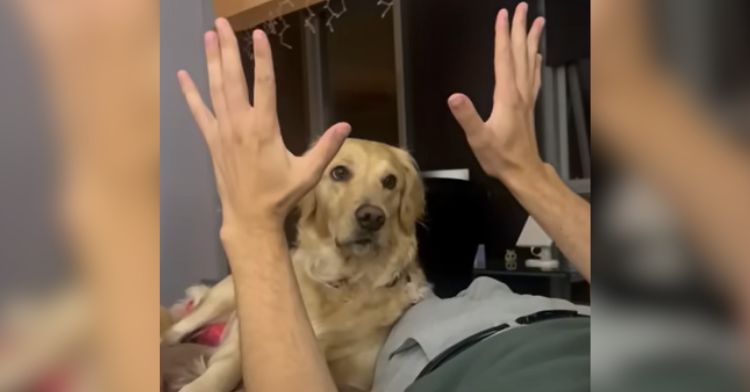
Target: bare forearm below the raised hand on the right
{"x": 564, "y": 216}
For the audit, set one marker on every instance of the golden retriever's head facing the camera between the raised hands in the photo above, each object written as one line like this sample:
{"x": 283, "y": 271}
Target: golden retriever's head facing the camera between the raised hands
{"x": 369, "y": 198}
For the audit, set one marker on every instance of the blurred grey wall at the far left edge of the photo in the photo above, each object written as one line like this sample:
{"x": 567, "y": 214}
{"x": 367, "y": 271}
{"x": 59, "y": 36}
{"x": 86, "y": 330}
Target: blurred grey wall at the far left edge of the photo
{"x": 28, "y": 255}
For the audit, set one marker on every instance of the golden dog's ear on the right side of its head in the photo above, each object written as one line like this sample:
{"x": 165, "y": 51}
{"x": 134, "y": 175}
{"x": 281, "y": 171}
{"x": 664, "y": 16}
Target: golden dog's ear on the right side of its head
{"x": 412, "y": 195}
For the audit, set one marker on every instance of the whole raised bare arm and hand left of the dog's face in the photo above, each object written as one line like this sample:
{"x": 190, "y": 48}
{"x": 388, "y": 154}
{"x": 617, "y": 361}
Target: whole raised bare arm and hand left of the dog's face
{"x": 259, "y": 182}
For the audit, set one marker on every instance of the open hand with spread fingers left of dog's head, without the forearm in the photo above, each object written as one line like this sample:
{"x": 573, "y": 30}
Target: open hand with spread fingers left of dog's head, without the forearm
{"x": 258, "y": 179}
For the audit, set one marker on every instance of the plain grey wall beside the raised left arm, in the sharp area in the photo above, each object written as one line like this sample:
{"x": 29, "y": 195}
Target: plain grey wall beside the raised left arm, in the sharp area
{"x": 190, "y": 248}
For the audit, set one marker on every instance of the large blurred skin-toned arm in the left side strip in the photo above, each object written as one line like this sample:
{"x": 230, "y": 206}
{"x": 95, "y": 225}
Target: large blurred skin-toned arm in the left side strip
{"x": 99, "y": 66}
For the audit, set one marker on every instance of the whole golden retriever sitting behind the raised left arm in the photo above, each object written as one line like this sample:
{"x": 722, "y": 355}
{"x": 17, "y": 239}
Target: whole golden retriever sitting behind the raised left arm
{"x": 355, "y": 261}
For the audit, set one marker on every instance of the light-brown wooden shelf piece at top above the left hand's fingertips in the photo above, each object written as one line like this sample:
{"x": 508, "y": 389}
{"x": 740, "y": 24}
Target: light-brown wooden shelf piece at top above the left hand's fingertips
{"x": 245, "y": 14}
